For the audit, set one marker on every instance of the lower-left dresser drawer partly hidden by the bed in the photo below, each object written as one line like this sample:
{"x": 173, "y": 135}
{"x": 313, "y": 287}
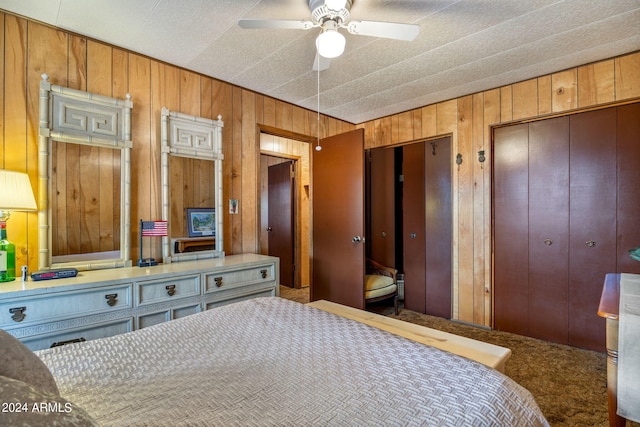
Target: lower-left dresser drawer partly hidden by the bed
{"x": 102, "y": 330}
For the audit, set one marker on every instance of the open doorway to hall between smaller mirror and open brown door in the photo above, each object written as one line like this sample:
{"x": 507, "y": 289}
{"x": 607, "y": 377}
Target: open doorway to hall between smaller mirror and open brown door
{"x": 275, "y": 150}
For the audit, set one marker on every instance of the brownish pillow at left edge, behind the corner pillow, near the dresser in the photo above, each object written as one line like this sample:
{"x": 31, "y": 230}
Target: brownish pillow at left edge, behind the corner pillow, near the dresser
{"x": 20, "y": 363}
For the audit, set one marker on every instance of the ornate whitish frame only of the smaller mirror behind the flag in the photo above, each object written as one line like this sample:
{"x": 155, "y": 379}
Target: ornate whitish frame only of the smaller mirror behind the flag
{"x": 184, "y": 135}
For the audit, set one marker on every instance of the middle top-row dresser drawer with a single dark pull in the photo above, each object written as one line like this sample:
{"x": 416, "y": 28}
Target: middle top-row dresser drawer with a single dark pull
{"x": 155, "y": 291}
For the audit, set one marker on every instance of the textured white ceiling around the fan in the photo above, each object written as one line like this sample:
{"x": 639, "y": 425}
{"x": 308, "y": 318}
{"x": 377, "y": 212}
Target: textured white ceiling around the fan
{"x": 464, "y": 46}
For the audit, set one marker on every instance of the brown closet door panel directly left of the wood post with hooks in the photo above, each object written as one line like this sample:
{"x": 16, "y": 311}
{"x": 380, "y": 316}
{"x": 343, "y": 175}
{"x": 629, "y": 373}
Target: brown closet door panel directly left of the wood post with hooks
{"x": 438, "y": 230}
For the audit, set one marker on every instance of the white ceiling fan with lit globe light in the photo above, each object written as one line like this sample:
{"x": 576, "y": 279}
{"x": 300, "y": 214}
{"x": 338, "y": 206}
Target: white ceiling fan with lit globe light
{"x": 330, "y": 16}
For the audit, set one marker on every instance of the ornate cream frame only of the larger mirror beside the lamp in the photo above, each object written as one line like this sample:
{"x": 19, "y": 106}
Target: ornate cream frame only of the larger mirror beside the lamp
{"x": 77, "y": 117}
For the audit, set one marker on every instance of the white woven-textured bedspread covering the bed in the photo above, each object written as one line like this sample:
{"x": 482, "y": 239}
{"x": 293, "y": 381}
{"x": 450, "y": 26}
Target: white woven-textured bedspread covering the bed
{"x": 270, "y": 361}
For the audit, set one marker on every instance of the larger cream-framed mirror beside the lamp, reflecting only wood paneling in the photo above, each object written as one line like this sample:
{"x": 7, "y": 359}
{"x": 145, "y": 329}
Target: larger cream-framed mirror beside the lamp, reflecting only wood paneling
{"x": 84, "y": 179}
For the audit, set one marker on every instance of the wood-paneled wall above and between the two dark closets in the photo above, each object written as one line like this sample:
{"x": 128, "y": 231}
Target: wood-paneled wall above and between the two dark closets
{"x": 469, "y": 120}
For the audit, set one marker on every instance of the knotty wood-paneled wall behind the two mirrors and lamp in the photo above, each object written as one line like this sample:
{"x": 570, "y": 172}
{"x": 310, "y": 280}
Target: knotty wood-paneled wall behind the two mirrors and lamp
{"x": 29, "y": 48}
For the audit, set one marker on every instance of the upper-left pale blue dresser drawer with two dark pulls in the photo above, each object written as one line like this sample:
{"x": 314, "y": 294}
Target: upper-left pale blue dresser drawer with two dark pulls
{"x": 64, "y": 305}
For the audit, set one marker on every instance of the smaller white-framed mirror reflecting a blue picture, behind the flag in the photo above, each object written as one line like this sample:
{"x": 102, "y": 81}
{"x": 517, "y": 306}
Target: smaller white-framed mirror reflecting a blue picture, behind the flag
{"x": 191, "y": 186}
